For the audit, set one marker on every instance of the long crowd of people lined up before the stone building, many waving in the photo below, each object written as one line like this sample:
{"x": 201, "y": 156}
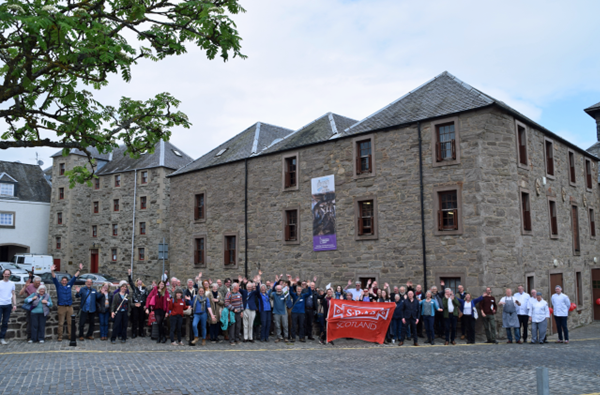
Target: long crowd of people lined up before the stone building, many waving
{"x": 286, "y": 310}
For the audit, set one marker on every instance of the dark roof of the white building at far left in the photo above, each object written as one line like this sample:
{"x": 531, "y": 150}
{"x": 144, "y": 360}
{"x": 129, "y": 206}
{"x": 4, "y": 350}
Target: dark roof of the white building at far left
{"x": 31, "y": 185}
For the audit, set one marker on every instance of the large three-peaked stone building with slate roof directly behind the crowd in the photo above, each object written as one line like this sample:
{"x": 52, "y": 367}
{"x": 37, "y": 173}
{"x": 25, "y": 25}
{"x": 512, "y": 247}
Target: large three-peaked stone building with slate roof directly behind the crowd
{"x": 444, "y": 183}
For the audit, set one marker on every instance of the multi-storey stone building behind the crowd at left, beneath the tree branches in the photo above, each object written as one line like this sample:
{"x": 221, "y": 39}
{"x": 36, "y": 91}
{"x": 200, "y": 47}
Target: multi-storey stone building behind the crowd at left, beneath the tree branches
{"x": 117, "y": 222}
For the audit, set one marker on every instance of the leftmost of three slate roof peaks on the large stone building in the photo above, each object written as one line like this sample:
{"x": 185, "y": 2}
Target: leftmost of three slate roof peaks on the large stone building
{"x": 250, "y": 142}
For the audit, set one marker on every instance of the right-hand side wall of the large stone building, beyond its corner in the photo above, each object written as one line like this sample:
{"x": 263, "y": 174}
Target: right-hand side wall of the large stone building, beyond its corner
{"x": 509, "y": 256}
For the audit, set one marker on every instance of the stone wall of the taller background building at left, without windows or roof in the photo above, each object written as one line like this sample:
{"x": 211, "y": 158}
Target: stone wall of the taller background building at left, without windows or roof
{"x": 78, "y": 219}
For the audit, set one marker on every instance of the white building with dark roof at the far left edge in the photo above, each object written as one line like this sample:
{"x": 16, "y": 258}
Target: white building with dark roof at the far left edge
{"x": 24, "y": 210}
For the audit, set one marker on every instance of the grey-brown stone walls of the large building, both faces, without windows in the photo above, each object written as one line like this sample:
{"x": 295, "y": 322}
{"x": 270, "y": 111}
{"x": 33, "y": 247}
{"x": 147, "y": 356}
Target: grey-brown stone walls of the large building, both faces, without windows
{"x": 490, "y": 251}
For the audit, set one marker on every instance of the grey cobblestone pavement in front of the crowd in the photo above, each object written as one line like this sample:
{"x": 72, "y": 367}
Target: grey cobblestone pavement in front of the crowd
{"x": 144, "y": 367}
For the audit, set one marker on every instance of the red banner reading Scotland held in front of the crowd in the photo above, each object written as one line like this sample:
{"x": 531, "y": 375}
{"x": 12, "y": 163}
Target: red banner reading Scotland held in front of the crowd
{"x": 359, "y": 320}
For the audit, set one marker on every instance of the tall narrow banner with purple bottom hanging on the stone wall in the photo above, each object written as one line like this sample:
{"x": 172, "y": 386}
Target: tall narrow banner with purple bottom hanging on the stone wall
{"x": 323, "y": 211}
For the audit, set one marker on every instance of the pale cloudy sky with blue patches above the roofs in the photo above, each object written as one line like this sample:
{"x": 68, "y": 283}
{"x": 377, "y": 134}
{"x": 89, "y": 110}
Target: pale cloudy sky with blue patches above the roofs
{"x": 306, "y": 58}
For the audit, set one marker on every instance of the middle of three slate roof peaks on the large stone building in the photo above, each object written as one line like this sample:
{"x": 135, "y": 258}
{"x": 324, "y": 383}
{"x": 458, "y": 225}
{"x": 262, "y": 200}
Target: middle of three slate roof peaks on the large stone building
{"x": 320, "y": 130}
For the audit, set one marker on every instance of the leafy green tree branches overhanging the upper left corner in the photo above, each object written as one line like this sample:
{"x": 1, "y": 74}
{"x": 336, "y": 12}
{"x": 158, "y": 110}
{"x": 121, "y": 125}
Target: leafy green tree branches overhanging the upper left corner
{"x": 53, "y": 53}
